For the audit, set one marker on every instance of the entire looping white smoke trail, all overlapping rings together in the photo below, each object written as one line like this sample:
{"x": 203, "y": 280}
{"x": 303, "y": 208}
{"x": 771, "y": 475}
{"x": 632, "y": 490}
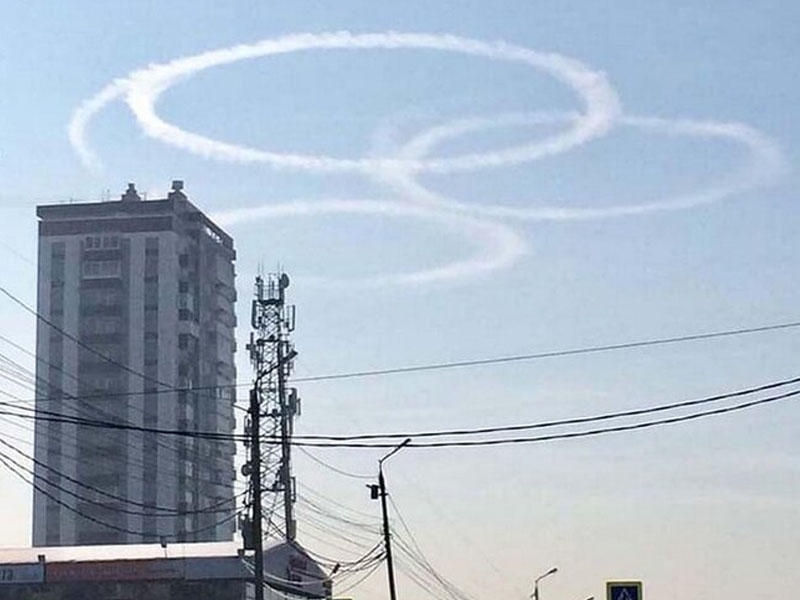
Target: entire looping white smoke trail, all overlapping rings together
{"x": 500, "y": 246}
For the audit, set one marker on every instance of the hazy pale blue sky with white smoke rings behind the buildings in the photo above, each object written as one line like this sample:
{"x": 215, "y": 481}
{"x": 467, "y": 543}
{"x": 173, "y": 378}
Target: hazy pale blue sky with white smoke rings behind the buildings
{"x": 460, "y": 180}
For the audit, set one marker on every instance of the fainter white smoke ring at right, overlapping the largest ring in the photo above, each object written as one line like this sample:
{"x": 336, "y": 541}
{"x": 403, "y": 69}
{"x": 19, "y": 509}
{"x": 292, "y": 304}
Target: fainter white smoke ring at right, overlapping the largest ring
{"x": 766, "y": 165}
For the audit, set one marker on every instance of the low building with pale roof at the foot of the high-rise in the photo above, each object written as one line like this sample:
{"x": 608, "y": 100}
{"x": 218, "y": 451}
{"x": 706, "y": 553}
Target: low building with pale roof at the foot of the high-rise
{"x": 211, "y": 571}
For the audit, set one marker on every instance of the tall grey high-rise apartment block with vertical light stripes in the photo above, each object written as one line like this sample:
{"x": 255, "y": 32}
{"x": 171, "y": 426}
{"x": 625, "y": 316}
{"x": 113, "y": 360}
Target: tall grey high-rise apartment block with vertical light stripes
{"x": 136, "y": 327}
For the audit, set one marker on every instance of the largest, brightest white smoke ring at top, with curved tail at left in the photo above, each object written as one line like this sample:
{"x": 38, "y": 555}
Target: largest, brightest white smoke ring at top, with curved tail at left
{"x": 143, "y": 87}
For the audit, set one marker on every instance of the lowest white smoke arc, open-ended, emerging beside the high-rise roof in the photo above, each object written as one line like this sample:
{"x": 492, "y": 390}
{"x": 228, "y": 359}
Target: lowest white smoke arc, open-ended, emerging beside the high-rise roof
{"x": 500, "y": 246}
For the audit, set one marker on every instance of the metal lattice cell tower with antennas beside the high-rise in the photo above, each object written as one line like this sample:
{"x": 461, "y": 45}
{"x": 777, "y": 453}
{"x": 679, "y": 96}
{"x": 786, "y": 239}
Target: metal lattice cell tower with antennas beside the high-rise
{"x": 271, "y": 417}
